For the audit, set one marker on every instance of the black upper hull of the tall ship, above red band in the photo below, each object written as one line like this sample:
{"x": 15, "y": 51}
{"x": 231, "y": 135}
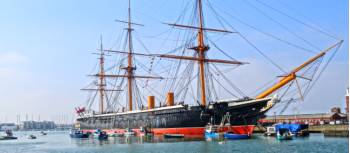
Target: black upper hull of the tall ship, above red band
{"x": 246, "y": 112}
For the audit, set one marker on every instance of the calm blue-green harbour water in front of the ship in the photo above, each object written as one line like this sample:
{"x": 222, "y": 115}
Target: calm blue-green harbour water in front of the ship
{"x": 60, "y": 142}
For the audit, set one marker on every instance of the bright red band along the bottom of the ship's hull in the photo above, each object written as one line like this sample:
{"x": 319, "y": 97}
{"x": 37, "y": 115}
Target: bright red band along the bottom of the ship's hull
{"x": 243, "y": 129}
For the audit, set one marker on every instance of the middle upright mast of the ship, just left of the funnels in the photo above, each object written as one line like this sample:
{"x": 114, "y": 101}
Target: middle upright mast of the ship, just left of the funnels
{"x": 130, "y": 67}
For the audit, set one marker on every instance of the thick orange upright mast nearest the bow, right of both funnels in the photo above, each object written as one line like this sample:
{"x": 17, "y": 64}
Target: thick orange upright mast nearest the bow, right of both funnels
{"x": 201, "y": 53}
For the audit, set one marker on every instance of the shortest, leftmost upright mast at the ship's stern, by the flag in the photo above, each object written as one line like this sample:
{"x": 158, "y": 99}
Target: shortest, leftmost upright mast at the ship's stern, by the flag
{"x": 101, "y": 78}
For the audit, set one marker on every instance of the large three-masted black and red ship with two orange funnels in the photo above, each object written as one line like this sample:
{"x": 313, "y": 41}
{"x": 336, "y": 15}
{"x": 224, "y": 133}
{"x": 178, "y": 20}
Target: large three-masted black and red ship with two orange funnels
{"x": 121, "y": 106}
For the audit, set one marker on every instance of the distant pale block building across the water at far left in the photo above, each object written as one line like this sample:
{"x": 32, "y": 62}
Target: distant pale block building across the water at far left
{"x": 35, "y": 125}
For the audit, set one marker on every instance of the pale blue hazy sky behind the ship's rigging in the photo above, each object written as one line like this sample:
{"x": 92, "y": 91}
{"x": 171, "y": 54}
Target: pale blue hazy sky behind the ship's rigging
{"x": 46, "y": 46}
